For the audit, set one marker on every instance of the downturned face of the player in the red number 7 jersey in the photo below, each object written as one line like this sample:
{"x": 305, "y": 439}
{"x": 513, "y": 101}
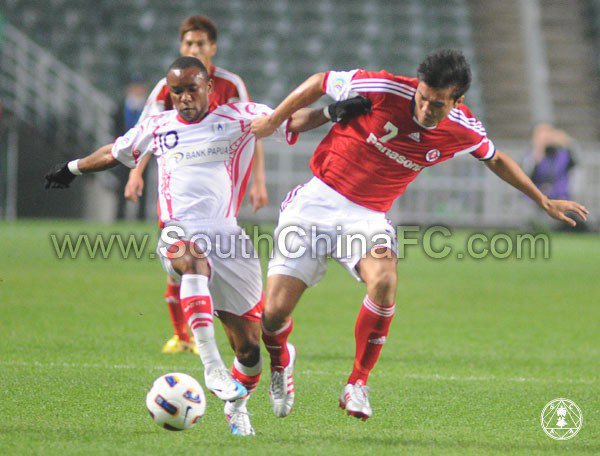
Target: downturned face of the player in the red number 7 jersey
{"x": 433, "y": 105}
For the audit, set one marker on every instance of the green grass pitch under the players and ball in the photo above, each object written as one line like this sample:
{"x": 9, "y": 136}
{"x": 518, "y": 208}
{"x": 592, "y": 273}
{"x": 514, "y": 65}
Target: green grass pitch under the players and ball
{"x": 476, "y": 349}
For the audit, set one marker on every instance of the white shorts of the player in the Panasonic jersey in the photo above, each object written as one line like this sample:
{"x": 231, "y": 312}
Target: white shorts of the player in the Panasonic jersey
{"x": 317, "y": 223}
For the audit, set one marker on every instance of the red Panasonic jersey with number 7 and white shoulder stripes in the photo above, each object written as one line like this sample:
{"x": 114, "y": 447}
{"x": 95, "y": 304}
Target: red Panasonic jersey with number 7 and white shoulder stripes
{"x": 372, "y": 158}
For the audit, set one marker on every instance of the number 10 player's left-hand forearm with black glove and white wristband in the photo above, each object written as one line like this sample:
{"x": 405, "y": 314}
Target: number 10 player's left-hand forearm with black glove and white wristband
{"x": 62, "y": 174}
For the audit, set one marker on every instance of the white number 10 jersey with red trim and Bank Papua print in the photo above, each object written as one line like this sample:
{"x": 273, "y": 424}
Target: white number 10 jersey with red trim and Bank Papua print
{"x": 203, "y": 167}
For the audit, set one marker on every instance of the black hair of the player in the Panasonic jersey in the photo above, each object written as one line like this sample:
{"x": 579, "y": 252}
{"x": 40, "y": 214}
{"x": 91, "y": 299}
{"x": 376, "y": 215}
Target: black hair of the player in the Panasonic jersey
{"x": 446, "y": 68}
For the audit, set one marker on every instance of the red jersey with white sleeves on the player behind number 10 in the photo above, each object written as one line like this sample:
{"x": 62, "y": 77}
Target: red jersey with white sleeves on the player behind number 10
{"x": 227, "y": 88}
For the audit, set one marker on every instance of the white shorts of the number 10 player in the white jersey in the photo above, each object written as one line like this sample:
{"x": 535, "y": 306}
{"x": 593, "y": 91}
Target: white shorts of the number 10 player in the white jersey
{"x": 235, "y": 282}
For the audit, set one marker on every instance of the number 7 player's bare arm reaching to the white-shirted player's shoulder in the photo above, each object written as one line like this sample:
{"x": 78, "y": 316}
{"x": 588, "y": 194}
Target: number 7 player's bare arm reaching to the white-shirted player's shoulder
{"x": 305, "y": 94}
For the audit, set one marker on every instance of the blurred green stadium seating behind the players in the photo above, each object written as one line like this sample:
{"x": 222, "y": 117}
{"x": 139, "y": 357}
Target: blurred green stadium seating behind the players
{"x": 273, "y": 45}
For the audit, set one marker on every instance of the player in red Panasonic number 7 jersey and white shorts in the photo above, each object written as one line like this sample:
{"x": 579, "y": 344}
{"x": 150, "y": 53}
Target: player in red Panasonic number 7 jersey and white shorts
{"x": 360, "y": 168}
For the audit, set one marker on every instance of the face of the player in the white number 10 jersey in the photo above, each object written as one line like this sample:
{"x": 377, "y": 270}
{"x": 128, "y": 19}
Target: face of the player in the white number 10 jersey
{"x": 189, "y": 91}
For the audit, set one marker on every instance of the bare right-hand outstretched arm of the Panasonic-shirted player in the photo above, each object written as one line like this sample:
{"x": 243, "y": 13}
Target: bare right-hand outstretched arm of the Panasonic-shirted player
{"x": 509, "y": 171}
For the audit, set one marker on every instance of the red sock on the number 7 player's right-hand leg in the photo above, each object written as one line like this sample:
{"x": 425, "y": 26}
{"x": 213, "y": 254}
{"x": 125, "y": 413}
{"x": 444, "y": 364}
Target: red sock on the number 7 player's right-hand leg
{"x": 370, "y": 332}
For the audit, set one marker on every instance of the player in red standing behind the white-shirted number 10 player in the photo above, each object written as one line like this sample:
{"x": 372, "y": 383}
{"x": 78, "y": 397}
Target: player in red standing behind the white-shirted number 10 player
{"x": 198, "y": 38}
